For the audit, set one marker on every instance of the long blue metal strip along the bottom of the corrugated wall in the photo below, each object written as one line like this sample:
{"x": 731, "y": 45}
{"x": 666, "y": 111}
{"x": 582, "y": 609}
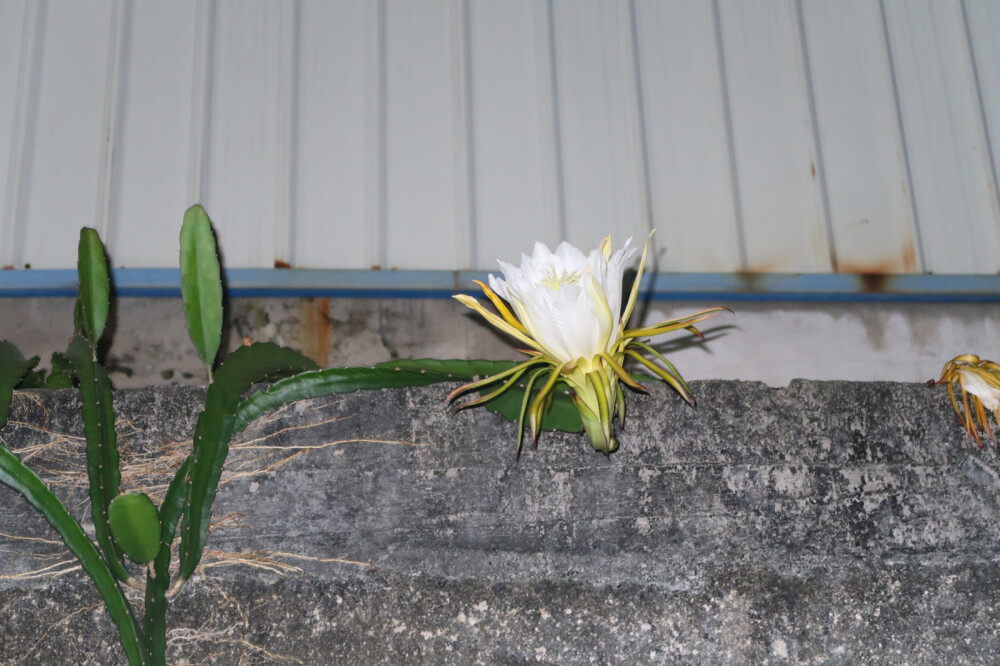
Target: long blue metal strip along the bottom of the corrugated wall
{"x": 164, "y": 282}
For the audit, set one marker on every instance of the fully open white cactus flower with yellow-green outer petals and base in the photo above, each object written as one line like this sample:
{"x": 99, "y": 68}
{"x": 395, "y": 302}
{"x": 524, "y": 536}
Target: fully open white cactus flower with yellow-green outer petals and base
{"x": 567, "y": 310}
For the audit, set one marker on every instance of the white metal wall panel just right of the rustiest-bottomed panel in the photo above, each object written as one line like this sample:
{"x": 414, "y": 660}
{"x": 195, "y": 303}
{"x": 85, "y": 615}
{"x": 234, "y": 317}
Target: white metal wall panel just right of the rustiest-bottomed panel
{"x": 953, "y": 183}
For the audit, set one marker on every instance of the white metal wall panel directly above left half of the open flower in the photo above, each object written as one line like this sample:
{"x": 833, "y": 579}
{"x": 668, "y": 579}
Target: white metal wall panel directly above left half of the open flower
{"x": 515, "y": 166}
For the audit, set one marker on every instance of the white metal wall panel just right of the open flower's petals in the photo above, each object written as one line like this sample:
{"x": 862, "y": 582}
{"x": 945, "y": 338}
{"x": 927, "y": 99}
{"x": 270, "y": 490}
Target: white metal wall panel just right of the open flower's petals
{"x": 686, "y": 137}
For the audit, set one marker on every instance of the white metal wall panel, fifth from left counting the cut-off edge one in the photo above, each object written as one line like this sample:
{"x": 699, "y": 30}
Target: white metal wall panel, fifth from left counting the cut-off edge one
{"x": 336, "y": 204}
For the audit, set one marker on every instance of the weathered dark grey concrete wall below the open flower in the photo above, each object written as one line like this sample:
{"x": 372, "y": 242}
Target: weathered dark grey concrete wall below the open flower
{"x": 824, "y": 522}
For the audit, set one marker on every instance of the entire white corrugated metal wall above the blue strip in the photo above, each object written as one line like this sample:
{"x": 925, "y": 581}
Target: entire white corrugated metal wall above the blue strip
{"x": 807, "y": 136}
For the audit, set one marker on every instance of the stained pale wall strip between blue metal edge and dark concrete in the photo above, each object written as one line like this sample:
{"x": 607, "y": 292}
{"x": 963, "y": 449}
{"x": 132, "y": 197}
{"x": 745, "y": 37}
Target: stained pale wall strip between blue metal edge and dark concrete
{"x": 769, "y": 342}
